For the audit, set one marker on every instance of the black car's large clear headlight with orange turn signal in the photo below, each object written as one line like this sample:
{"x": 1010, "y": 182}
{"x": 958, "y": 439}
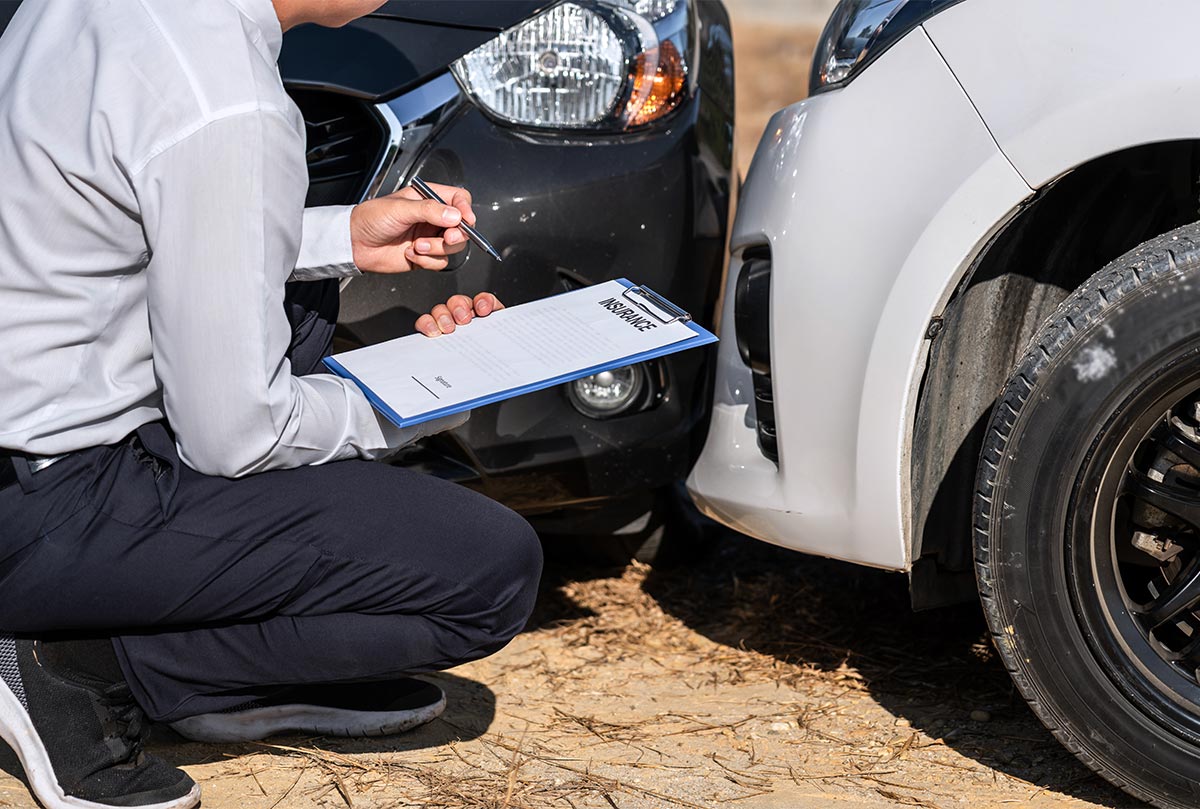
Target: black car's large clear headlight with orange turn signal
{"x": 615, "y": 64}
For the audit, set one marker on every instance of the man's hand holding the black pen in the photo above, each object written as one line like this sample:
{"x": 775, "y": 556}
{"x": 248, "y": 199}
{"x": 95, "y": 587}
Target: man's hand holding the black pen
{"x": 404, "y": 231}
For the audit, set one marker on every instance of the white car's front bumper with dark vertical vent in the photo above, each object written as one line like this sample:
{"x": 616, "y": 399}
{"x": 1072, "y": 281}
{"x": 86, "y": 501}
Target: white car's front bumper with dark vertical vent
{"x": 873, "y": 201}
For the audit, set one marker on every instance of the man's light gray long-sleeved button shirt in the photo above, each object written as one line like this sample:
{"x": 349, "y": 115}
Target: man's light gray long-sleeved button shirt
{"x": 152, "y": 209}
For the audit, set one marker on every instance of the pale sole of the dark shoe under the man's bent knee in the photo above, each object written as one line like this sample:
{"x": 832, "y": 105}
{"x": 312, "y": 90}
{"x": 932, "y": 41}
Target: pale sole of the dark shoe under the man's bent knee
{"x": 256, "y": 724}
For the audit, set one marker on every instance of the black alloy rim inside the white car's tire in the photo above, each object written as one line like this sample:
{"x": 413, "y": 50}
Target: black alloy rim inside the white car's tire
{"x": 1133, "y": 548}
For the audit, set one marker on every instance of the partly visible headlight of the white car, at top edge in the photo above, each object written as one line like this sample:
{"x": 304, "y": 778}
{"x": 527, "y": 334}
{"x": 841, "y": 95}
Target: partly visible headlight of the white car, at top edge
{"x": 861, "y": 31}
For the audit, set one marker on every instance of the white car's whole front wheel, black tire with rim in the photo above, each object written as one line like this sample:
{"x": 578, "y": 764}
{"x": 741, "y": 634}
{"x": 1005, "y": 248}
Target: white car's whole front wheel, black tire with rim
{"x": 1087, "y": 543}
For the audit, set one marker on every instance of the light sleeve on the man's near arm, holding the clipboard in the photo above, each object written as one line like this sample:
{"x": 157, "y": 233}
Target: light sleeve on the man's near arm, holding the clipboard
{"x": 224, "y": 213}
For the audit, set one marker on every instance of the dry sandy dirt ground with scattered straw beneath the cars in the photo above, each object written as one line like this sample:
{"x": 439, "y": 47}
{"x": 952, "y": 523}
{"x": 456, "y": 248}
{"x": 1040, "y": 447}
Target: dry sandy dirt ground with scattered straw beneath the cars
{"x": 753, "y": 678}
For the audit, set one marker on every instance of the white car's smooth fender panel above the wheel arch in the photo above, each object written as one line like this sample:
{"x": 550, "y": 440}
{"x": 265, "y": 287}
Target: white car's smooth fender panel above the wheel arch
{"x": 1095, "y": 76}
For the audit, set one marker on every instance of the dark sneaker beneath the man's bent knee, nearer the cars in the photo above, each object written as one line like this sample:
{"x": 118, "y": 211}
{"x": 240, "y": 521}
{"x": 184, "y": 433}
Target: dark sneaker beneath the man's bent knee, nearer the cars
{"x": 344, "y": 710}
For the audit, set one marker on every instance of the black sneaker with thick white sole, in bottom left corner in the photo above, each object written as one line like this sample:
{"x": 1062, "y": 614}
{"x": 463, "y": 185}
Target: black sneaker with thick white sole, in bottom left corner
{"x": 80, "y": 738}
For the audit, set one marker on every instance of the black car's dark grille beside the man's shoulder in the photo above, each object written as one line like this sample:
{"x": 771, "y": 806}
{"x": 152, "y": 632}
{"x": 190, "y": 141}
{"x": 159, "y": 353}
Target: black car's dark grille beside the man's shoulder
{"x": 345, "y": 145}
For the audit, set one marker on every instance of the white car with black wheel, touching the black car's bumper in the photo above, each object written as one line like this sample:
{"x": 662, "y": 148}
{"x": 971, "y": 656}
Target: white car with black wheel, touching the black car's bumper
{"x": 962, "y": 339}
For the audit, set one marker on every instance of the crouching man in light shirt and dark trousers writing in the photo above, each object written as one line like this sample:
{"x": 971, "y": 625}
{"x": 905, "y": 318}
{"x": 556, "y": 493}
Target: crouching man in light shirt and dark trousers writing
{"x": 194, "y": 530}
